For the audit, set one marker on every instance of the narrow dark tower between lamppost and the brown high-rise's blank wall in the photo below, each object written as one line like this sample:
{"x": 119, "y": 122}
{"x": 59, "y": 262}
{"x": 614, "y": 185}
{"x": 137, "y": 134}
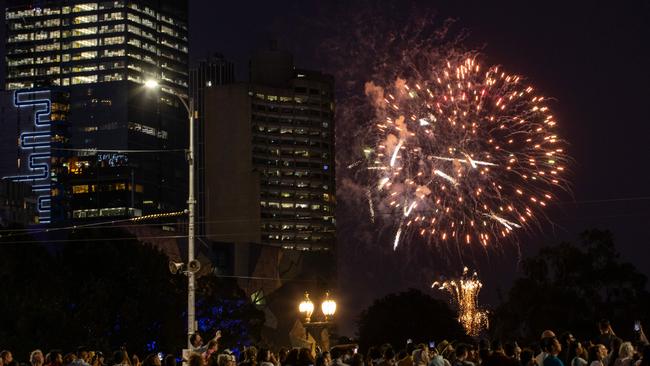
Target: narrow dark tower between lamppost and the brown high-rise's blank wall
{"x": 208, "y": 72}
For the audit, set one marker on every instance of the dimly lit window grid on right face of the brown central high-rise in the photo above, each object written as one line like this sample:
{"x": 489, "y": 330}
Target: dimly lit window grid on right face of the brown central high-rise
{"x": 292, "y": 137}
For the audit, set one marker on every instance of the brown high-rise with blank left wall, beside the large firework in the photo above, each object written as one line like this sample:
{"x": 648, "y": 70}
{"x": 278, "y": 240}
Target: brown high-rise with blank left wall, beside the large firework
{"x": 269, "y": 161}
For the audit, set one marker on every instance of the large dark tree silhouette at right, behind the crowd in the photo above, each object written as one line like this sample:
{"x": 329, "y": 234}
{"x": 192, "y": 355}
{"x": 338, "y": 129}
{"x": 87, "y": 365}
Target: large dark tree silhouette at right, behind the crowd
{"x": 571, "y": 287}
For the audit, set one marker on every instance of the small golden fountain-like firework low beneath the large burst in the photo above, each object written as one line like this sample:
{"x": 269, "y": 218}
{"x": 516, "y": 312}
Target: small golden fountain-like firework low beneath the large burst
{"x": 464, "y": 291}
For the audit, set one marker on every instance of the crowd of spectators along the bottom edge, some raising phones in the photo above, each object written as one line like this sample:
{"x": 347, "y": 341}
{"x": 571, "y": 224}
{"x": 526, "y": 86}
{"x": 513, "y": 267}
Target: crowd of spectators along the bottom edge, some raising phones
{"x": 605, "y": 350}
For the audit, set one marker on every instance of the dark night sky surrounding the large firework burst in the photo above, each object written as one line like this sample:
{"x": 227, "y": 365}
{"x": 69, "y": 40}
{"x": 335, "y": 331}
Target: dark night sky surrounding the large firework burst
{"x": 593, "y": 57}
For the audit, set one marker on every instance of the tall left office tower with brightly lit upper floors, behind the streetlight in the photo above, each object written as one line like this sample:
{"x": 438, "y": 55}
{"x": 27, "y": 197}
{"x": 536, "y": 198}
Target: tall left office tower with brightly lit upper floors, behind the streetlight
{"x": 101, "y": 52}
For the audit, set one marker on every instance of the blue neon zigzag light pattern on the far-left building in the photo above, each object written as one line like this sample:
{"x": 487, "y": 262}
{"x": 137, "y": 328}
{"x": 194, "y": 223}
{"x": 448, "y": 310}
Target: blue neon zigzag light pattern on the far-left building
{"x": 37, "y": 146}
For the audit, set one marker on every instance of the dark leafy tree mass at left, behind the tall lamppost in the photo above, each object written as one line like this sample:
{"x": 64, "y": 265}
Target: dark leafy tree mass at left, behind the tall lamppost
{"x": 92, "y": 290}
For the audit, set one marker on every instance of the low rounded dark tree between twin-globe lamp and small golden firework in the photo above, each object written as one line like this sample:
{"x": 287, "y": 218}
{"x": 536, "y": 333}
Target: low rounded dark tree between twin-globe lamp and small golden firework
{"x": 407, "y": 315}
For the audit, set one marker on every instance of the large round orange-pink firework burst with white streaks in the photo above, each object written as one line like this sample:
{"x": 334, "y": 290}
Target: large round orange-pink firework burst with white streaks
{"x": 465, "y": 154}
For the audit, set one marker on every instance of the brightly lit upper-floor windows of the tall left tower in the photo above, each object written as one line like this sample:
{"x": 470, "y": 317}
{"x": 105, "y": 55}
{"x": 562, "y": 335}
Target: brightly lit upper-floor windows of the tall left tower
{"x": 30, "y": 36}
